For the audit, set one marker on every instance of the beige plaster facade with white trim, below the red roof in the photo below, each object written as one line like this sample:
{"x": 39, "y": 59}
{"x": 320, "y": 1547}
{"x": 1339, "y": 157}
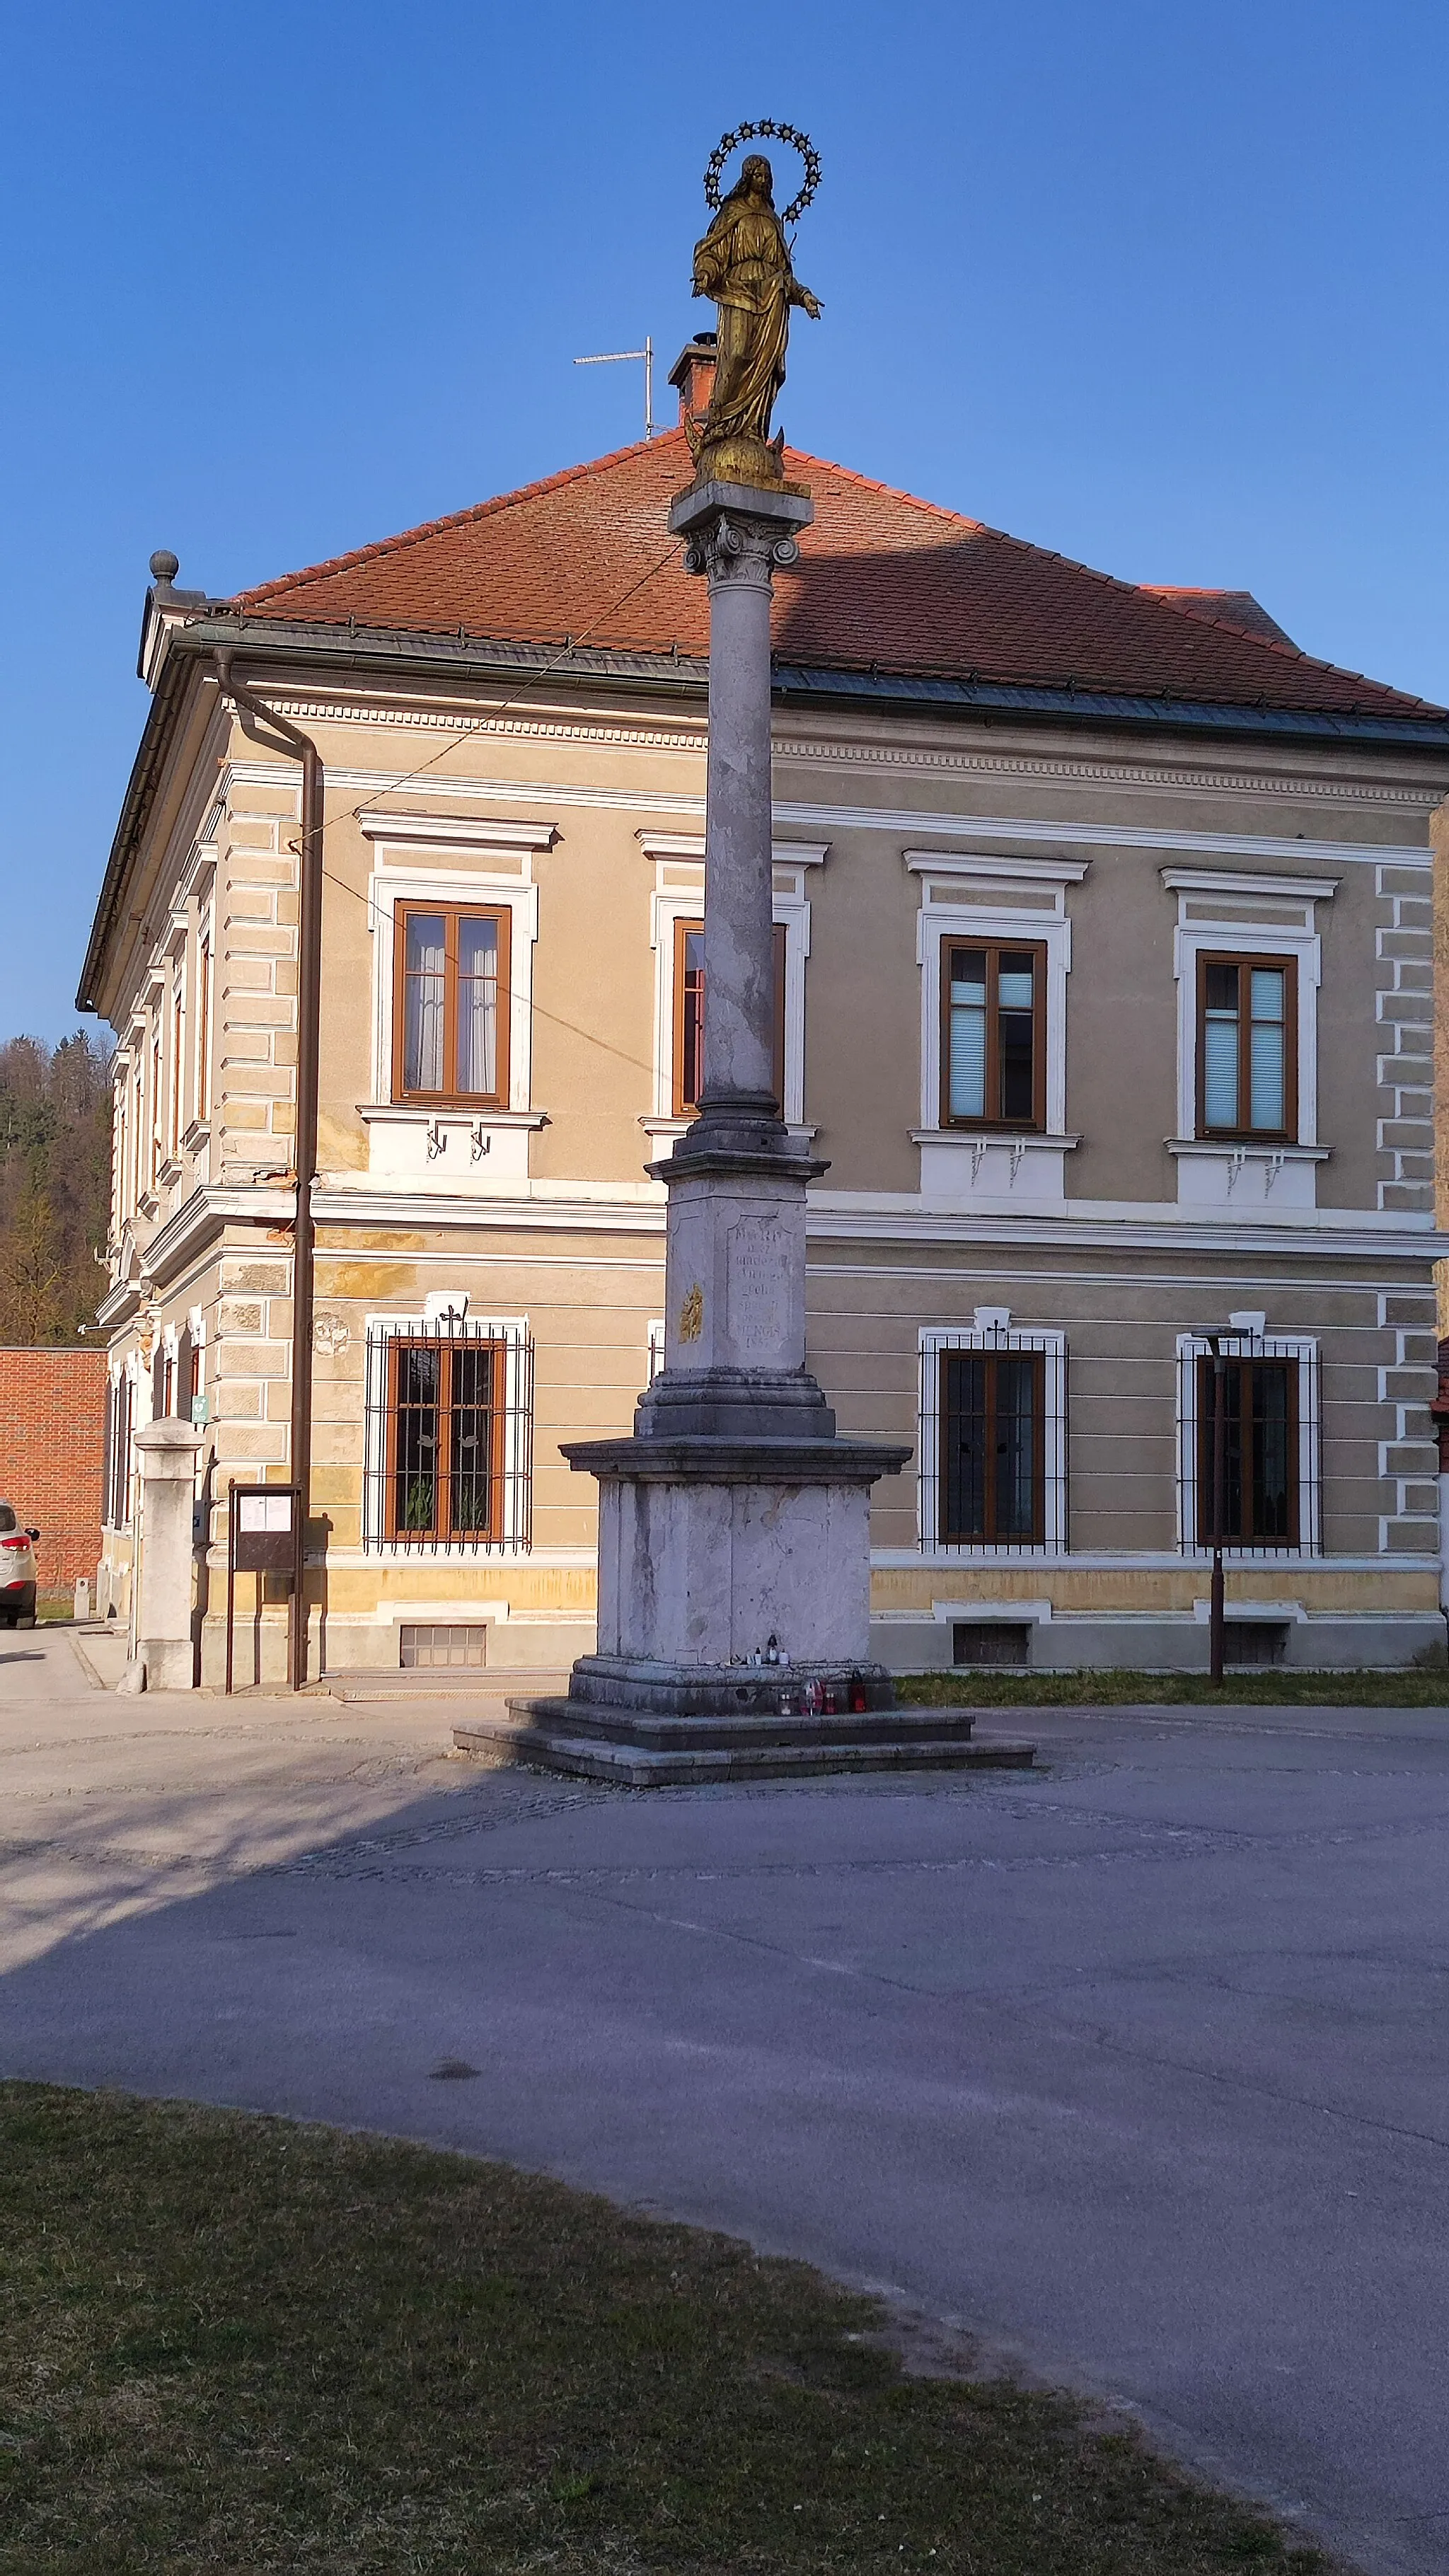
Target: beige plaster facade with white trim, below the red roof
{"x": 576, "y": 805}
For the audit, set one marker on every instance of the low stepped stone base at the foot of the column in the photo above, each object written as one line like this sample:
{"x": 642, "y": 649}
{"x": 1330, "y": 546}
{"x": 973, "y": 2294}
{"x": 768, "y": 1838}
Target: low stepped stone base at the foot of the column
{"x": 664, "y": 1730}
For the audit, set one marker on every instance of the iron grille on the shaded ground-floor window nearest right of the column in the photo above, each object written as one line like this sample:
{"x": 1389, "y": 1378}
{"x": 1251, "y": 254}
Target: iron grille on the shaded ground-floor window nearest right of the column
{"x": 994, "y": 1441}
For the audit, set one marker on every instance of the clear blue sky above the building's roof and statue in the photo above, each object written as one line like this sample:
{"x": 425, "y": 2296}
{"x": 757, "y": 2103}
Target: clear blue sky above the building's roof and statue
{"x": 1159, "y": 287}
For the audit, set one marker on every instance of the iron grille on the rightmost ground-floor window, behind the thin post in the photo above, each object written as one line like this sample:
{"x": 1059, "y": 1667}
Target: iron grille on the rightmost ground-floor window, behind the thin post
{"x": 1272, "y": 1452}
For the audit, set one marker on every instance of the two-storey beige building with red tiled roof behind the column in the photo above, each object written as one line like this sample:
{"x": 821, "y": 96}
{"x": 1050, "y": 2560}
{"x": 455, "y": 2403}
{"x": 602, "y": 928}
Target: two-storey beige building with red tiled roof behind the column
{"x": 1105, "y": 988}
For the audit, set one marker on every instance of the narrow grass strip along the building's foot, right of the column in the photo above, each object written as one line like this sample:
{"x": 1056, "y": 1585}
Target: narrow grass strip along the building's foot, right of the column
{"x": 971, "y": 1686}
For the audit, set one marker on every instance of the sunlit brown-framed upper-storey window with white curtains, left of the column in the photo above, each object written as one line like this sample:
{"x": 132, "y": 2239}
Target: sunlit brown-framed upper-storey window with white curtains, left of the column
{"x": 450, "y": 1006}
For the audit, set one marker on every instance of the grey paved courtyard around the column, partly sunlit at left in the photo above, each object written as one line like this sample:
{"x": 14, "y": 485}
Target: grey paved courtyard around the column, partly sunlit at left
{"x": 1138, "y": 2065}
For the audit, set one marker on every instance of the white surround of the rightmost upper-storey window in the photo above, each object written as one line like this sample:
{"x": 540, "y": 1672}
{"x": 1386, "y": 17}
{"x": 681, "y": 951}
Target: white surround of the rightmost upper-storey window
{"x": 1249, "y": 916}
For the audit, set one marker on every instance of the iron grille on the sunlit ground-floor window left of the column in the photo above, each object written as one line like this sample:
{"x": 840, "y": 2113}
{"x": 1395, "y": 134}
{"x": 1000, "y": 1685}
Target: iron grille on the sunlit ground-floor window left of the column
{"x": 450, "y": 1439}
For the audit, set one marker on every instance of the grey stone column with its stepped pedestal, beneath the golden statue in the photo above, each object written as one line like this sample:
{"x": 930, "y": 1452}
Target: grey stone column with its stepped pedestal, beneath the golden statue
{"x": 736, "y": 1521}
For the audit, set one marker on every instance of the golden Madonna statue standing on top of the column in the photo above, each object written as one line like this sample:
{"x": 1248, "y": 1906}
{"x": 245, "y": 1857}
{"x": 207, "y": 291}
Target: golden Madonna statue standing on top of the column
{"x": 744, "y": 267}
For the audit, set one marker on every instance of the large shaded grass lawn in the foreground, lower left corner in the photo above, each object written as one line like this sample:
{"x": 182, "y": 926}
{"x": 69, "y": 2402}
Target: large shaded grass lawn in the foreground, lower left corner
{"x": 244, "y": 2345}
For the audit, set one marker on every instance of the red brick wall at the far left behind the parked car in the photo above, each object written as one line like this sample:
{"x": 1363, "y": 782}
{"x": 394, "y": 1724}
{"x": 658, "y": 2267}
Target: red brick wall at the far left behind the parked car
{"x": 53, "y": 1434}
